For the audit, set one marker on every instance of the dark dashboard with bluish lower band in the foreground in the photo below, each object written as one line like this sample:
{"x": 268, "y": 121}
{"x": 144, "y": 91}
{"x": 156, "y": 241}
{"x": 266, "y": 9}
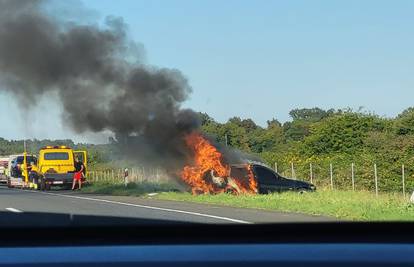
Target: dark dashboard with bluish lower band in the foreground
{"x": 298, "y": 244}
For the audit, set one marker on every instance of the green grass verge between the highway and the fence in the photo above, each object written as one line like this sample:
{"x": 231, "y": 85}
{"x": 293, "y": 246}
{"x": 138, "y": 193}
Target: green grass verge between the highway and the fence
{"x": 348, "y": 205}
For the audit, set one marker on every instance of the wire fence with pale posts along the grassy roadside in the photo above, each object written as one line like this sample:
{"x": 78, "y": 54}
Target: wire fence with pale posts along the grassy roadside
{"x": 334, "y": 176}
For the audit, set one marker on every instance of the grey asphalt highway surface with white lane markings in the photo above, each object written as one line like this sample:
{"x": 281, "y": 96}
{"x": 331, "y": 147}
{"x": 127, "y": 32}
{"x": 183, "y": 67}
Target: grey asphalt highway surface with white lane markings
{"x": 16, "y": 203}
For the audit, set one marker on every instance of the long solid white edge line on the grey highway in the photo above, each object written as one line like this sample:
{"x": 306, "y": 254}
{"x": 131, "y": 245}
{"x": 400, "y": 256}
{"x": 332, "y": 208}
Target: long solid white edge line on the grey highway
{"x": 149, "y": 207}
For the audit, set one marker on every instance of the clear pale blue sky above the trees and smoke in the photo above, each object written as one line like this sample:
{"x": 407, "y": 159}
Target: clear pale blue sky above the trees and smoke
{"x": 260, "y": 59}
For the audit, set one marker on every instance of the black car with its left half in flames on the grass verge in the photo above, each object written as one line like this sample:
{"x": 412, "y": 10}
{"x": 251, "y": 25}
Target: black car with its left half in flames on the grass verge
{"x": 210, "y": 174}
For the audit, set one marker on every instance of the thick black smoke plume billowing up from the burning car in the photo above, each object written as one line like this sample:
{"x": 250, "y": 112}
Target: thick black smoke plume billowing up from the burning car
{"x": 102, "y": 84}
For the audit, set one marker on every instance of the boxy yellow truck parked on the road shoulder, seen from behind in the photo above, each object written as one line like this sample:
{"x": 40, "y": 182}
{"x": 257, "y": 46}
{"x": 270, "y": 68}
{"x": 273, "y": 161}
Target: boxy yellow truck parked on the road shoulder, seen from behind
{"x": 56, "y": 165}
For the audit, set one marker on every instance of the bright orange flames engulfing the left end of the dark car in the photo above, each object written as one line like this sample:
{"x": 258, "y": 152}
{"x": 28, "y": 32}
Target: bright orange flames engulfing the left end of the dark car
{"x": 209, "y": 161}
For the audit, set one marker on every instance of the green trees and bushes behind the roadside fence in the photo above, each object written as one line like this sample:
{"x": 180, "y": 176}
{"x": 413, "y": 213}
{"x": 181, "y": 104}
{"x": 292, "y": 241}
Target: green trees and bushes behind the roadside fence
{"x": 312, "y": 136}
